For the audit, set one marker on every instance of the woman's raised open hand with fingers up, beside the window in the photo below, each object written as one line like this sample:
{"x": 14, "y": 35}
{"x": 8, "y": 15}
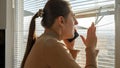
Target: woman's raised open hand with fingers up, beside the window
{"x": 91, "y": 40}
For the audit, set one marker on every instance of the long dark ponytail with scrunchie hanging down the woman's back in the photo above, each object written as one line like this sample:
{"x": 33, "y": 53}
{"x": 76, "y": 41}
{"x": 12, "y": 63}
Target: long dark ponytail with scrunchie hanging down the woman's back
{"x": 31, "y": 37}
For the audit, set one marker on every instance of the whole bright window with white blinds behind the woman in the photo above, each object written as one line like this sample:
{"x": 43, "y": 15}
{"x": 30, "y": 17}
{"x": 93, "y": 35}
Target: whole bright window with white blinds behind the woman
{"x": 85, "y": 11}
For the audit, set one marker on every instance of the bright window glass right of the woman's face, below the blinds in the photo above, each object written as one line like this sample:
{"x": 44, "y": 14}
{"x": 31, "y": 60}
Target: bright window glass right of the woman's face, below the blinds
{"x": 105, "y": 31}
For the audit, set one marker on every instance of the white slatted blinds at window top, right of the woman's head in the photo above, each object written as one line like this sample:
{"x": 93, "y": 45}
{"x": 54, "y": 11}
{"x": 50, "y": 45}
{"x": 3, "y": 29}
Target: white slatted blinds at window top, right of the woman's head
{"x": 88, "y": 8}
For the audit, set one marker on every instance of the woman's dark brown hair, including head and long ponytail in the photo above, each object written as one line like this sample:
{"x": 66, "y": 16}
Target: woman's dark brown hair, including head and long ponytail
{"x": 52, "y": 10}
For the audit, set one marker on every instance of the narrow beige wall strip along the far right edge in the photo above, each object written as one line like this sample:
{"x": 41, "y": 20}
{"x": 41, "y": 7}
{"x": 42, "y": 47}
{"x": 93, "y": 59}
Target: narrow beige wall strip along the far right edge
{"x": 117, "y": 36}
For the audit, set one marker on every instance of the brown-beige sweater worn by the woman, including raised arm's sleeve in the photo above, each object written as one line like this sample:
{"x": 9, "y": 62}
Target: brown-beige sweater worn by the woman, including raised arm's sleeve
{"x": 49, "y": 52}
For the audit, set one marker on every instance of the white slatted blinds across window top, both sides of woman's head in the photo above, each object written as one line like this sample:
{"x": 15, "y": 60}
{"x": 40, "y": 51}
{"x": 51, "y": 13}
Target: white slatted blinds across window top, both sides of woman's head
{"x": 79, "y": 7}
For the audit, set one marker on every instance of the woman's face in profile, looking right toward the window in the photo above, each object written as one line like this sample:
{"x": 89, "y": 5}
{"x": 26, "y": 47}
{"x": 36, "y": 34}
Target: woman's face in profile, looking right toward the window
{"x": 69, "y": 26}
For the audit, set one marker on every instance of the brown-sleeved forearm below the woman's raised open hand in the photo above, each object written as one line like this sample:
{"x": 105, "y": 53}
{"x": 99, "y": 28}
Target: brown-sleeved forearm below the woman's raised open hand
{"x": 91, "y": 55}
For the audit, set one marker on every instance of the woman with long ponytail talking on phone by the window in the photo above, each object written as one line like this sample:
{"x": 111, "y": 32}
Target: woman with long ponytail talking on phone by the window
{"x": 47, "y": 51}
